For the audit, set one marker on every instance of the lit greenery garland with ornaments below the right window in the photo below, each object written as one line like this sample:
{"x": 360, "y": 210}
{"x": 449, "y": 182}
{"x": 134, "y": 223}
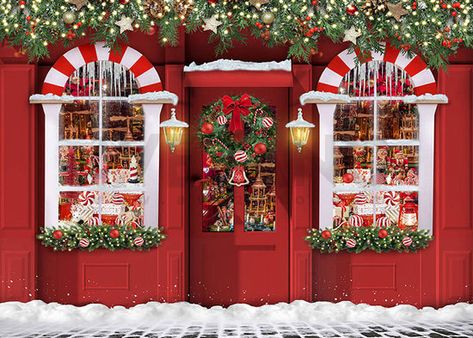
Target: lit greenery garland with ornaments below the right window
{"x": 358, "y": 239}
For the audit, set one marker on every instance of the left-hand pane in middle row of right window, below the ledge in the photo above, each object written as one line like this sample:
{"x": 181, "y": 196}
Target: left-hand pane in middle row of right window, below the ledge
{"x": 352, "y": 166}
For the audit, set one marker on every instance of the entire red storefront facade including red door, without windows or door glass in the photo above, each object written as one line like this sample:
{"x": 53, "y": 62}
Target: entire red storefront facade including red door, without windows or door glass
{"x": 225, "y": 268}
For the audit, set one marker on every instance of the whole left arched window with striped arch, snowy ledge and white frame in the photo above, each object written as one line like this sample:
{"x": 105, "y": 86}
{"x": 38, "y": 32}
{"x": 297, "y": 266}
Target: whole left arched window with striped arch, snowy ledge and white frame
{"x": 102, "y": 137}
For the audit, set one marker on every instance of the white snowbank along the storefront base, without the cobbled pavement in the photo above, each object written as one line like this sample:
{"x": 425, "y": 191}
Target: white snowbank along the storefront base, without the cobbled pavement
{"x": 153, "y": 313}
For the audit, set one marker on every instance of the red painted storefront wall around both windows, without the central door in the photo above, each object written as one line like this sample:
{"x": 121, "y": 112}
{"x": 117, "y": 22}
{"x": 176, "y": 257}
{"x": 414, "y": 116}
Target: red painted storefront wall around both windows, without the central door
{"x": 439, "y": 275}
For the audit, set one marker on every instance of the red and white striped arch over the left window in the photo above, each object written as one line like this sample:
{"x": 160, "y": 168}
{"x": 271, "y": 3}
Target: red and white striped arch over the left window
{"x": 146, "y": 76}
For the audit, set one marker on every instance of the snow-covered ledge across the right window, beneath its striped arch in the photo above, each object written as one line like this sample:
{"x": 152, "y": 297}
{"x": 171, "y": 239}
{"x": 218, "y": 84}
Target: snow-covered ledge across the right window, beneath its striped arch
{"x": 325, "y": 97}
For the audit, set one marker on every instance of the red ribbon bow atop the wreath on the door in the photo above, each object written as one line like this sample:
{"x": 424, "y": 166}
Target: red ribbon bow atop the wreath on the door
{"x": 237, "y": 108}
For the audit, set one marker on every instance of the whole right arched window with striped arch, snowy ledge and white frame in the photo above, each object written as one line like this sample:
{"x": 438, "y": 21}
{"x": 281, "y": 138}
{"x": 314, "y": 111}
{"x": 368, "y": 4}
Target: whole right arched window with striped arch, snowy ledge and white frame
{"x": 376, "y": 141}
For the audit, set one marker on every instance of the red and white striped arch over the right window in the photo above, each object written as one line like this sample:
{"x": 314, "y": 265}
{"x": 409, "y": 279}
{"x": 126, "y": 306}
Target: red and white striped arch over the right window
{"x": 422, "y": 78}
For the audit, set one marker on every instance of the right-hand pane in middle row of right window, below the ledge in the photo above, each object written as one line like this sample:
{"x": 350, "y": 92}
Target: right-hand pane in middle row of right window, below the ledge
{"x": 397, "y": 165}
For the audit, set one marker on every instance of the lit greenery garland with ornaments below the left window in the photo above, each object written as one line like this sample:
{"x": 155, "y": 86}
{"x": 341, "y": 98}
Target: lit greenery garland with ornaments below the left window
{"x": 83, "y": 237}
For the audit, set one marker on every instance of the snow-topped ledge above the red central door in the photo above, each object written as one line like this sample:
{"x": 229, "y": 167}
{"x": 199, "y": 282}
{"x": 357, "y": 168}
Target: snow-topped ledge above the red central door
{"x": 233, "y": 65}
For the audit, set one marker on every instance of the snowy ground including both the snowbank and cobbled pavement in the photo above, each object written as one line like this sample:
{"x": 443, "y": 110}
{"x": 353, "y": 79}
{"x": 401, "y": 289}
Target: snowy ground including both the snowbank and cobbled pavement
{"x": 183, "y": 320}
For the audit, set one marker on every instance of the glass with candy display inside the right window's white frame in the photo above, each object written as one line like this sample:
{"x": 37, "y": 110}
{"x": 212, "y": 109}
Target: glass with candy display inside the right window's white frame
{"x": 376, "y": 150}
